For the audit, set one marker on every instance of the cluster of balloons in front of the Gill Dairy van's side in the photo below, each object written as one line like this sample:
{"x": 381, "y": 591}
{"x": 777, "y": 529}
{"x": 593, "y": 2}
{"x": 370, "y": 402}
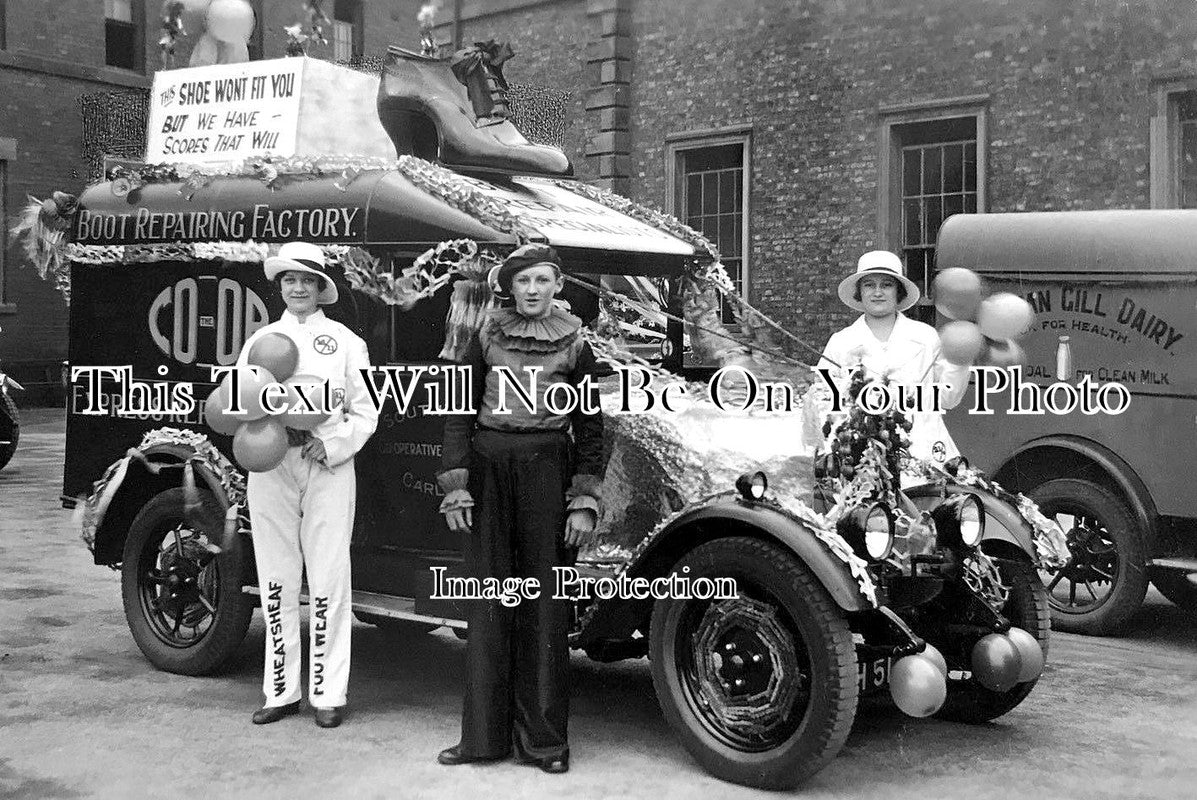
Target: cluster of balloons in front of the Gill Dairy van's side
{"x": 983, "y": 331}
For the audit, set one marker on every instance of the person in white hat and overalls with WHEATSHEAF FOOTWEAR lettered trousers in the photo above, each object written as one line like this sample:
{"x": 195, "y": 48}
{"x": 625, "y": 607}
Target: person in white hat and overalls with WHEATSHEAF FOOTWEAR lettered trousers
{"x": 303, "y": 510}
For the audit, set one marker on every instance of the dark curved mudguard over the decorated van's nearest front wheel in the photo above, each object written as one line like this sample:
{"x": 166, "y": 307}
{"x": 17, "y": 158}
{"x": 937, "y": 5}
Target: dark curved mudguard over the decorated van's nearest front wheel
{"x": 728, "y": 516}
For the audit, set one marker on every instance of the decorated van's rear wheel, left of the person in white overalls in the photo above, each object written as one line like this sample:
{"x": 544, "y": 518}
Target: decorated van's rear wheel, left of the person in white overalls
{"x": 185, "y": 609}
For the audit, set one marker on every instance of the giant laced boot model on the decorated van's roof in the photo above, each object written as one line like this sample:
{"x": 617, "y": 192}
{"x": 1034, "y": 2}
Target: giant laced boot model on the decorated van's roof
{"x": 428, "y": 114}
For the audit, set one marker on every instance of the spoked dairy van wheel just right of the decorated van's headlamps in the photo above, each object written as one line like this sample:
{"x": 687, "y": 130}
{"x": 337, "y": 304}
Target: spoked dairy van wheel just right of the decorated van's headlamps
{"x": 1105, "y": 579}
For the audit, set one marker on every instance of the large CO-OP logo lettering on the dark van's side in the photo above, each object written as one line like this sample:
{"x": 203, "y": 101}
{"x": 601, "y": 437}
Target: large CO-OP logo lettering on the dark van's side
{"x": 205, "y": 319}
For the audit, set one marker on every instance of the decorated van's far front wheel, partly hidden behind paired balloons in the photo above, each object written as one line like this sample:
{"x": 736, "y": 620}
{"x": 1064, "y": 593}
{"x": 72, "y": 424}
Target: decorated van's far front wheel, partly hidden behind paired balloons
{"x": 1026, "y": 608}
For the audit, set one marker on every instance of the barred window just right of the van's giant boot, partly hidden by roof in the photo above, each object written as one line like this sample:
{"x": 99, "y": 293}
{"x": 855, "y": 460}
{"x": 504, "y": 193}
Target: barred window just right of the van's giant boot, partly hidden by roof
{"x": 709, "y": 177}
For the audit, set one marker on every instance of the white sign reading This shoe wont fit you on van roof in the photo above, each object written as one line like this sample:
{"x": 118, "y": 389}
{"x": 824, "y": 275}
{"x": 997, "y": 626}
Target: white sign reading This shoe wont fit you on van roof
{"x": 226, "y": 113}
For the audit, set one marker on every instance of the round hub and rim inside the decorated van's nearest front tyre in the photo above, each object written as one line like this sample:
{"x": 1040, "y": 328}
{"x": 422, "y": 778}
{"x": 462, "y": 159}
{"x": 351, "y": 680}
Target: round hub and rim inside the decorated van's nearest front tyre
{"x": 746, "y": 675}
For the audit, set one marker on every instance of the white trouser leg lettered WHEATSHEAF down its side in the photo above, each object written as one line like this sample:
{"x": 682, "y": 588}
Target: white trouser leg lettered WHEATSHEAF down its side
{"x": 275, "y": 500}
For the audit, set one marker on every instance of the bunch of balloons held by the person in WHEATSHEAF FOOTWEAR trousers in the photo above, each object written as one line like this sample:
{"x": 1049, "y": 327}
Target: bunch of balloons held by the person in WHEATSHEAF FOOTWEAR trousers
{"x": 260, "y": 440}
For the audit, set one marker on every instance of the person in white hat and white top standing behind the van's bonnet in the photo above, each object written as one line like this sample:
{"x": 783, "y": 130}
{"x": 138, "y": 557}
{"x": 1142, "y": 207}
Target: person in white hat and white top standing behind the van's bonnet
{"x": 890, "y": 343}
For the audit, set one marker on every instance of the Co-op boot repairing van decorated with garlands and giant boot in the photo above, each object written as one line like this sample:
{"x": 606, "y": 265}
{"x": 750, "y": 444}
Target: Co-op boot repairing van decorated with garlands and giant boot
{"x": 844, "y": 581}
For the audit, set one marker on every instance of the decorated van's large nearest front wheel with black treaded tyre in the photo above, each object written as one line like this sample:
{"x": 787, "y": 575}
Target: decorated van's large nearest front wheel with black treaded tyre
{"x": 762, "y": 689}
